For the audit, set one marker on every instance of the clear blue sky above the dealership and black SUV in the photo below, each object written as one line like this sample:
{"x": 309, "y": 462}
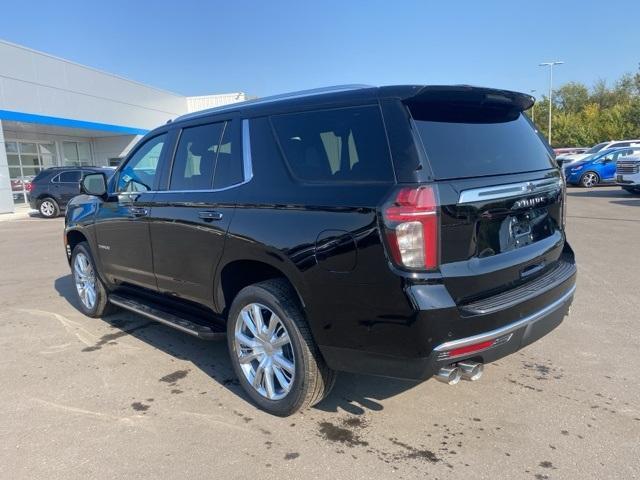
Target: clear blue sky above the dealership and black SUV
{"x": 267, "y": 47}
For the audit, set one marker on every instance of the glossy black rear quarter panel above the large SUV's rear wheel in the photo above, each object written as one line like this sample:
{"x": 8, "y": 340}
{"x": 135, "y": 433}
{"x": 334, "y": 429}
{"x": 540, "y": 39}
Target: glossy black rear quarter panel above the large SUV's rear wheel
{"x": 281, "y": 222}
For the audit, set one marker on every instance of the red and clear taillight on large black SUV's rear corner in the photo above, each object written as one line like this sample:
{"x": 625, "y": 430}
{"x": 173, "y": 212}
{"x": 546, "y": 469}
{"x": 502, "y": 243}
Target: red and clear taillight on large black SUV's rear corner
{"x": 411, "y": 227}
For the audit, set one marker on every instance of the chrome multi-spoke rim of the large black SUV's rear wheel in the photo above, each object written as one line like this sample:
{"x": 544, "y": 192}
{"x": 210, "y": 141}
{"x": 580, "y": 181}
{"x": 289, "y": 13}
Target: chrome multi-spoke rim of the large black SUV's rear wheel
{"x": 264, "y": 351}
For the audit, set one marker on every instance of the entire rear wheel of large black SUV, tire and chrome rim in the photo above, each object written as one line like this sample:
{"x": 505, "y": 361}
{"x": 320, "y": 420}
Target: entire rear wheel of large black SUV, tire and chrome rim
{"x": 273, "y": 352}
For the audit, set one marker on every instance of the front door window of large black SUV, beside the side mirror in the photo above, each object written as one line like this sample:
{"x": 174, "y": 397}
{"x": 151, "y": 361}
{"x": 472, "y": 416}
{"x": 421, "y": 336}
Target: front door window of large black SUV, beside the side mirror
{"x": 139, "y": 174}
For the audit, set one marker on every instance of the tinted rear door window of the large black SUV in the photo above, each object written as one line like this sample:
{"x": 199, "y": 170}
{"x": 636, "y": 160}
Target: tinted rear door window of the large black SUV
{"x": 195, "y": 158}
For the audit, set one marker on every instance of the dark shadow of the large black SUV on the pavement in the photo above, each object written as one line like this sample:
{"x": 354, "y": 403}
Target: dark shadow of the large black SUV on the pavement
{"x": 352, "y": 393}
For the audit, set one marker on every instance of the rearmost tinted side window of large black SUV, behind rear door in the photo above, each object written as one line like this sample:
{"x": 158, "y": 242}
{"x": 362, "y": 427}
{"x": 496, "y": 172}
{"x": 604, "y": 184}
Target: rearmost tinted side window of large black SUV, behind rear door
{"x": 338, "y": 145}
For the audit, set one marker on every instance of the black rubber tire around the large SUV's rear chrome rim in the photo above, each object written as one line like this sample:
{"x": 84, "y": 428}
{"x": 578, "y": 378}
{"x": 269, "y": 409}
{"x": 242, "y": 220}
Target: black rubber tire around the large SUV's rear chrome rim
{"x": 313, "y": 379}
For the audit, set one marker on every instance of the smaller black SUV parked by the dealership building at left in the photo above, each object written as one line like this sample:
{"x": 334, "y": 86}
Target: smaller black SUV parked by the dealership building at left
{"x": 52, "y": 188}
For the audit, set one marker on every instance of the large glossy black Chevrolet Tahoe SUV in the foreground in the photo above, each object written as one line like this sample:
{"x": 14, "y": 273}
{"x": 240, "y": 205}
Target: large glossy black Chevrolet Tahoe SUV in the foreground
{"x": 405, "y": 231}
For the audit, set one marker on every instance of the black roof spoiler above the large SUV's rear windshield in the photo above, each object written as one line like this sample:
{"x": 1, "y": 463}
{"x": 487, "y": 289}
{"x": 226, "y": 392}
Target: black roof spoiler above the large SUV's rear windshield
{"x": 467, "y": 94}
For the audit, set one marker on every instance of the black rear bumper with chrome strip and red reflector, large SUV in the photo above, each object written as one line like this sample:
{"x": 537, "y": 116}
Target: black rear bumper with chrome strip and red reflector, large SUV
{"x": 507, "y": 330}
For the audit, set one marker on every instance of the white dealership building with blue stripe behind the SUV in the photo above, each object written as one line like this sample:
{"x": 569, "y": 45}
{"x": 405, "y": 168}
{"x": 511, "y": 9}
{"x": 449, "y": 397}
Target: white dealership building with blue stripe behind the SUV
{"x": 54, "y": 112}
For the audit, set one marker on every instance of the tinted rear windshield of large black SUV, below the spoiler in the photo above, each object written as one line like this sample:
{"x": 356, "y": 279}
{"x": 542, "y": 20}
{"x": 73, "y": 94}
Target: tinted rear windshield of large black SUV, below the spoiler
{"x": 473, "y": 142}
